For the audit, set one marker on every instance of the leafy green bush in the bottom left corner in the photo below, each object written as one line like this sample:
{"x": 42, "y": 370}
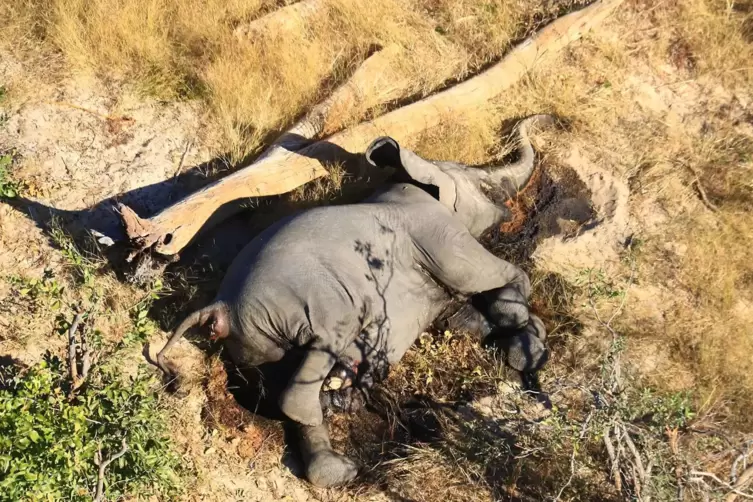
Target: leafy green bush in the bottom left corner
{"x": 48, "y": 440}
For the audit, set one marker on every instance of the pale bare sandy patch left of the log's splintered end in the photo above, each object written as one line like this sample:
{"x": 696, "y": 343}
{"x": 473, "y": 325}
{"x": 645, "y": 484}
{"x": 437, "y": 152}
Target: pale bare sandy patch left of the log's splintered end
{"x": 84, "y": 143}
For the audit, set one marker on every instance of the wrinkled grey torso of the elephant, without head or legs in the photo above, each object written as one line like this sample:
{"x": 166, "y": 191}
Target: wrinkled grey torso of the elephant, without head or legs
{"x": 351, "y": 275}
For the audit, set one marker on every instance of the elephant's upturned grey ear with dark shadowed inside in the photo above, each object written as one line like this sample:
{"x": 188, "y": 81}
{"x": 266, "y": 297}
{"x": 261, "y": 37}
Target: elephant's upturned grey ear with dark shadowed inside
{"x": 386, "y": 152}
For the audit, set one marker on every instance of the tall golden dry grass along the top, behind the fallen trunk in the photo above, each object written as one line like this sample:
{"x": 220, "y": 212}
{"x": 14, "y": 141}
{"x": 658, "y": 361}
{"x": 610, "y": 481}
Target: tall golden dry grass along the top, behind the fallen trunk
{"x": 256, "y": 86}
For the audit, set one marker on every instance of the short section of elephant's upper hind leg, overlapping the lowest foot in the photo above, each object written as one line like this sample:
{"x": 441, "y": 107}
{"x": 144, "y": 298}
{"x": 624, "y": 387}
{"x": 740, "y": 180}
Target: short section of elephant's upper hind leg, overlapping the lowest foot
{"x": 300, "y": 399}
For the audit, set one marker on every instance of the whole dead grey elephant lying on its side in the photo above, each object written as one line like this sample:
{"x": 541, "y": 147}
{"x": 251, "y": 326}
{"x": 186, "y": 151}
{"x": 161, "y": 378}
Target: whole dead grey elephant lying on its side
{"x": 360, "y": 282}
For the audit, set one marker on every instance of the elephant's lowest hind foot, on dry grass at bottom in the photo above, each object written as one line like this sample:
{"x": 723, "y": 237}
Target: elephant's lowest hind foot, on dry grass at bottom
{"x": 324, "y": 466}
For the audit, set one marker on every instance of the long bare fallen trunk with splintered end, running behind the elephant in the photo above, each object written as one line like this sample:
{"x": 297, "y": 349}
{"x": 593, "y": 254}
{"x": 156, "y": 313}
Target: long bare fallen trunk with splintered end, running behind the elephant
{"x": 282, "y": 170}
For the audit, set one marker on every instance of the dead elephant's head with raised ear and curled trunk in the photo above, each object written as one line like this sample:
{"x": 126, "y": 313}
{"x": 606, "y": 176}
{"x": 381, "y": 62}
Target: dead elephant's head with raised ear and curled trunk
{"x": 477, "y": 196}
